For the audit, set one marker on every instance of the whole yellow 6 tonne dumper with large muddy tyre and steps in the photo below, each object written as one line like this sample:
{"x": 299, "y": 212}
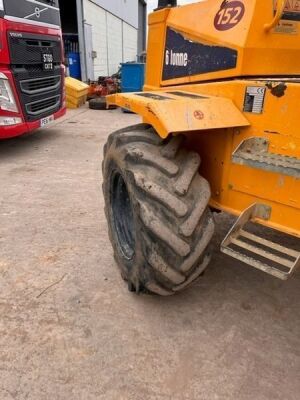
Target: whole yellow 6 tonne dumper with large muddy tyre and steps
{"x": 221, "y": 132}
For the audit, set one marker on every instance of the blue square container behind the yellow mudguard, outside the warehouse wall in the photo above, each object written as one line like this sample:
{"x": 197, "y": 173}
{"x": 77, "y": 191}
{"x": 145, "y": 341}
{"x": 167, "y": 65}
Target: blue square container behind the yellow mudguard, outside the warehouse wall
{"x": 133, "y": 77}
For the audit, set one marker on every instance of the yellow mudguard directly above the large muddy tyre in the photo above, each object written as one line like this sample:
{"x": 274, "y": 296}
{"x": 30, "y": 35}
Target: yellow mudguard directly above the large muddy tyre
{"x": 179, "y": 111}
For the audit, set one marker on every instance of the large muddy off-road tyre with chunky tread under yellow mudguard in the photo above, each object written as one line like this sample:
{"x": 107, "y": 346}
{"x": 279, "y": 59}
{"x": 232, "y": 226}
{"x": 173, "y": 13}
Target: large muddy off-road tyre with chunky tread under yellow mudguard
{"x": 156, "y": 206}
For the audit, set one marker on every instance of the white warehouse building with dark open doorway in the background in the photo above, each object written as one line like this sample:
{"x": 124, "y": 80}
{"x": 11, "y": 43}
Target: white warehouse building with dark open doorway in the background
{"x": 101, "y": 34}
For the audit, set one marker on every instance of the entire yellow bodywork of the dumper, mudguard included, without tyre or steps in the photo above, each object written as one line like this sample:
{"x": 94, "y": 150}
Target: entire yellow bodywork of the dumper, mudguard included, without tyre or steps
{"x": 271, "y": 53}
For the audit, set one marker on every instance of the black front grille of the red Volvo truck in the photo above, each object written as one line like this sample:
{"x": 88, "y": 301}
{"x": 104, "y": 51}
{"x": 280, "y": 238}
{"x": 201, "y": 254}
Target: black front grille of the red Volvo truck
{"x": 40, "y": 91}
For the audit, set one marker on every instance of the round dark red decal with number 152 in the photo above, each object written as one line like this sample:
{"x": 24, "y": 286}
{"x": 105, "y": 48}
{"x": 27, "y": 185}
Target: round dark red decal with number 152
{"x": 229, "y": 15}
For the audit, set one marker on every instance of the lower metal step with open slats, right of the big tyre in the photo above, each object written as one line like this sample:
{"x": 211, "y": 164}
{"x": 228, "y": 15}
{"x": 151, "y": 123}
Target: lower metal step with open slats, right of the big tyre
{"x": 256, "y": 251}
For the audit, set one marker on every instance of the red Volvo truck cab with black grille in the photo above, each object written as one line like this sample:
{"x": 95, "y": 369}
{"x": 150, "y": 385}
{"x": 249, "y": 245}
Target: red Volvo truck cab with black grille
{"x": 31, "y": 66}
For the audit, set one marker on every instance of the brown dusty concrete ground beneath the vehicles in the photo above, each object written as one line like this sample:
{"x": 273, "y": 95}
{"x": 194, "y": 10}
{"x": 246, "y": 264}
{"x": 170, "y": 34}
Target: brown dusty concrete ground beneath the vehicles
{"x": 70, "y": 330}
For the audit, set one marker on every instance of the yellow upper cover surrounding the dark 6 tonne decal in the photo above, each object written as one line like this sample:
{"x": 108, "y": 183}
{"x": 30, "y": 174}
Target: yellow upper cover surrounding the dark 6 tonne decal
{"x": 259, "y": 52}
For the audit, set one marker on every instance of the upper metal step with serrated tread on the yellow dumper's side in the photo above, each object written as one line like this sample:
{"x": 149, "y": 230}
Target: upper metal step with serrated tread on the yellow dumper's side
{"x": 254, "y": 152}
